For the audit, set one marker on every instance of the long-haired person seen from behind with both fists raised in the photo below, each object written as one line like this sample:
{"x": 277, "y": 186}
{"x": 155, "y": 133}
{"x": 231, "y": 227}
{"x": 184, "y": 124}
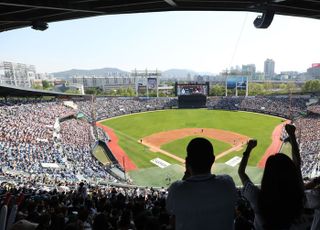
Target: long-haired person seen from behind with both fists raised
{"x": 279, "y": 201}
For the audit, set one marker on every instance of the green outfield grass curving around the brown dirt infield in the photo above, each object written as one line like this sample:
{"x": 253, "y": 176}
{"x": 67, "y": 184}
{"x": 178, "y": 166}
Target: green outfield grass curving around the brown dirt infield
{"x": 136, "y": 126}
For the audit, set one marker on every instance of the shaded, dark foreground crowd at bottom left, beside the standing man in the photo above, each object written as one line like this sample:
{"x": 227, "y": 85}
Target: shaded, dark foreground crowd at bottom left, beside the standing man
{"x": 88, "y": 207}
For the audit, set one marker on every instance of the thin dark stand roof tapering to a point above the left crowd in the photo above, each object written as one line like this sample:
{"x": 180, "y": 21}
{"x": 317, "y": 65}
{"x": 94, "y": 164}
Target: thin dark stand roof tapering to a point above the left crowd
{"x": 14, "y": 91}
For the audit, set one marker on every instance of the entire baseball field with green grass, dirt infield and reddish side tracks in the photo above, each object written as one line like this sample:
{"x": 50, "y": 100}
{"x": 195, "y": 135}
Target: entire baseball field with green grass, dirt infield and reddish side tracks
{"x": 151, "y": 145}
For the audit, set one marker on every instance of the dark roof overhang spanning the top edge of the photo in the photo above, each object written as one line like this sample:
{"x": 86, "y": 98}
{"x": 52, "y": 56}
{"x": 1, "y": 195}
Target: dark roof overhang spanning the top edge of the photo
{"x": 37, "y": 13}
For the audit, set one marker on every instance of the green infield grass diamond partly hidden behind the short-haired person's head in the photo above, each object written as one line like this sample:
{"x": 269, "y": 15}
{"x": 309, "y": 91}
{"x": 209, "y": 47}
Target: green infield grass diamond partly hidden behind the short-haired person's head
{"x": 178, "y": 147}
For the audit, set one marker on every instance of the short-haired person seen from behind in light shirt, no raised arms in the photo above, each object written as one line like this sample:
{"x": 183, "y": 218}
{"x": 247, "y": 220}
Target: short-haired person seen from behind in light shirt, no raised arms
{"x": 202, "y": 200}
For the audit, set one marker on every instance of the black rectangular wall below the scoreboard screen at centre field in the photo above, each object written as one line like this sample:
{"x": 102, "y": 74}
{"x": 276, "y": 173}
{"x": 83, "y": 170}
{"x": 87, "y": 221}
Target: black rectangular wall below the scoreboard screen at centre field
{"x": 192, "y": 101}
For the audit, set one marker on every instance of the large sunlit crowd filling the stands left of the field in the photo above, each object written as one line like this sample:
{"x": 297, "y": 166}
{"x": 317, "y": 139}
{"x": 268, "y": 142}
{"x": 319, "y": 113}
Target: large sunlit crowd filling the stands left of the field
{"x": 28, "y": 143}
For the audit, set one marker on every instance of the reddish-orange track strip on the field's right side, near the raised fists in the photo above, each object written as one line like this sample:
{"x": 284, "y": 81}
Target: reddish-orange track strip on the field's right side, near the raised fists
{"x": 275, "y": 144}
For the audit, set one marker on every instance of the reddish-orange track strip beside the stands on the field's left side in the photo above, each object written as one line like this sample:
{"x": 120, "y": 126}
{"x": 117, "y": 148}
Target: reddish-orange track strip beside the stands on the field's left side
{"x": 118, "y": 152}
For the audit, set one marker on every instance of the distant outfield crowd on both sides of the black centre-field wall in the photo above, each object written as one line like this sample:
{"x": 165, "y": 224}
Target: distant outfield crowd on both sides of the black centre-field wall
{"x": 106, "y": 107}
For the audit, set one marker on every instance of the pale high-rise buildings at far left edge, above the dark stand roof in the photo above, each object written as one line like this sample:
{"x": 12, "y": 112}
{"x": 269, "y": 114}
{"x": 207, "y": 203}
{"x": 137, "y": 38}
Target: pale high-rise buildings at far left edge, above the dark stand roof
{"x": 17, "y": 74}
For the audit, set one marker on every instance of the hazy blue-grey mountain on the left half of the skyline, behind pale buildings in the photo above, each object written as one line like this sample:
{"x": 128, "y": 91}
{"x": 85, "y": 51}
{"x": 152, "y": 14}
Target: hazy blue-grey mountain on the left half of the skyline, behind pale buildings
{"x": 96, "y": 72}
